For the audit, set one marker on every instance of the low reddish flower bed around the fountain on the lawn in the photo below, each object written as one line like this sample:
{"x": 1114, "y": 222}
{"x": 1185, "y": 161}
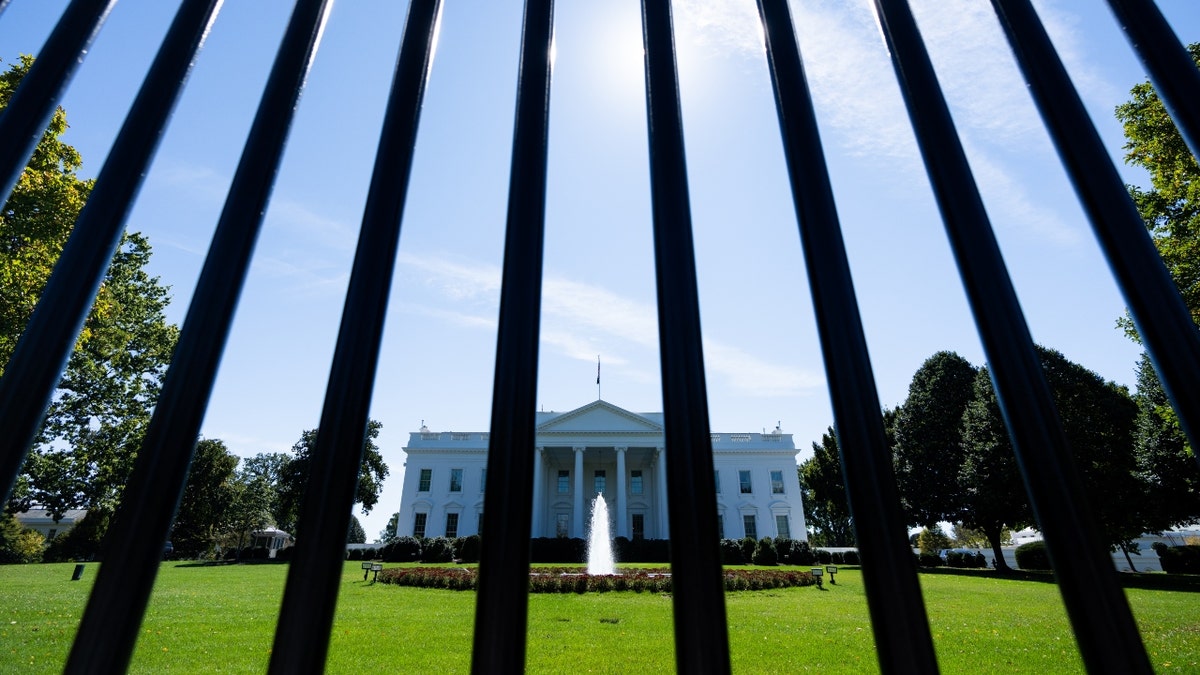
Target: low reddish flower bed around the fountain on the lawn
{"x": 572, "y": 581}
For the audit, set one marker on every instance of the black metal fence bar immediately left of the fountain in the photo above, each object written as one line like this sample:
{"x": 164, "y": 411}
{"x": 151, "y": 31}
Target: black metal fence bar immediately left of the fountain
{"x": 501, "y": 606}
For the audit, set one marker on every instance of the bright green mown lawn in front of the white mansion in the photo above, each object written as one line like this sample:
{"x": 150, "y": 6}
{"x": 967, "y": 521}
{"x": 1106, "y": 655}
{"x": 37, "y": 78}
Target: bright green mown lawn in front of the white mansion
{"x": 221, "y": 619}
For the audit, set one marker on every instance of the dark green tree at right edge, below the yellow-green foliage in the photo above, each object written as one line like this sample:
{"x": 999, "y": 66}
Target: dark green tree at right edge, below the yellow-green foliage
{"x": 1165, "y": 462}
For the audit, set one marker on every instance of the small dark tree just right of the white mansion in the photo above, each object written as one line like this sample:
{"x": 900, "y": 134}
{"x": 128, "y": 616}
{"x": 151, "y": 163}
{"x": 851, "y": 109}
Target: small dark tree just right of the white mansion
{"x": 824, "y": 494}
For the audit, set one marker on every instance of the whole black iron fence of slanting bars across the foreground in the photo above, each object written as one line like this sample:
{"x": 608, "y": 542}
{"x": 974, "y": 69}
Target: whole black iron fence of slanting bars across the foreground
{"x": 1100, "y": 616}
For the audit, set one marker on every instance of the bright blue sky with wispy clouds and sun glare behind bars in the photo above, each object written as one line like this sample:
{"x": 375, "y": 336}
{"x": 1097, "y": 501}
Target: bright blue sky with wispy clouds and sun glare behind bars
{"x": 763, "y": 359}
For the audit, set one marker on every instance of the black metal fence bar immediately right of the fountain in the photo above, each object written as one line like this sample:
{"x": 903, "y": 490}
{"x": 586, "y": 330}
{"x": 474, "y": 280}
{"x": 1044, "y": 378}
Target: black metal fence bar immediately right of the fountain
{"x": 700, "y": 628}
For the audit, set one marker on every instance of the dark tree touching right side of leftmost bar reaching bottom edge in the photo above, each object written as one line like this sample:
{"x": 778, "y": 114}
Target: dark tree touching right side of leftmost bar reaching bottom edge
{"x": 208, "y": 495}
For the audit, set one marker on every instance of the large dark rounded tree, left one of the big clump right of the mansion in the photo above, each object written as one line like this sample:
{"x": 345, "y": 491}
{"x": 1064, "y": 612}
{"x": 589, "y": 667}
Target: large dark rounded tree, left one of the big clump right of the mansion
{"x": 928, "y": 451}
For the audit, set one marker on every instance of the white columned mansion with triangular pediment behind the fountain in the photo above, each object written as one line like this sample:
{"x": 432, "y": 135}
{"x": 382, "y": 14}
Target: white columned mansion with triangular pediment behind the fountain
{"x": 602, "y": 449}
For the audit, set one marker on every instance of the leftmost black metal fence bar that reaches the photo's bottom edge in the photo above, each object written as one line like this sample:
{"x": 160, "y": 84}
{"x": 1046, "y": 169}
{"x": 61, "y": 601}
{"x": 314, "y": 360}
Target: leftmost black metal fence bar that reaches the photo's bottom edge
{"x": 148, "y": 506}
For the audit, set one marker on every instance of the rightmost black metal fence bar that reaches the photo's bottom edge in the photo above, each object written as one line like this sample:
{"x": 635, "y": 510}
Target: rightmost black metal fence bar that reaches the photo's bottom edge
{"x": 1103, "y": 624}
